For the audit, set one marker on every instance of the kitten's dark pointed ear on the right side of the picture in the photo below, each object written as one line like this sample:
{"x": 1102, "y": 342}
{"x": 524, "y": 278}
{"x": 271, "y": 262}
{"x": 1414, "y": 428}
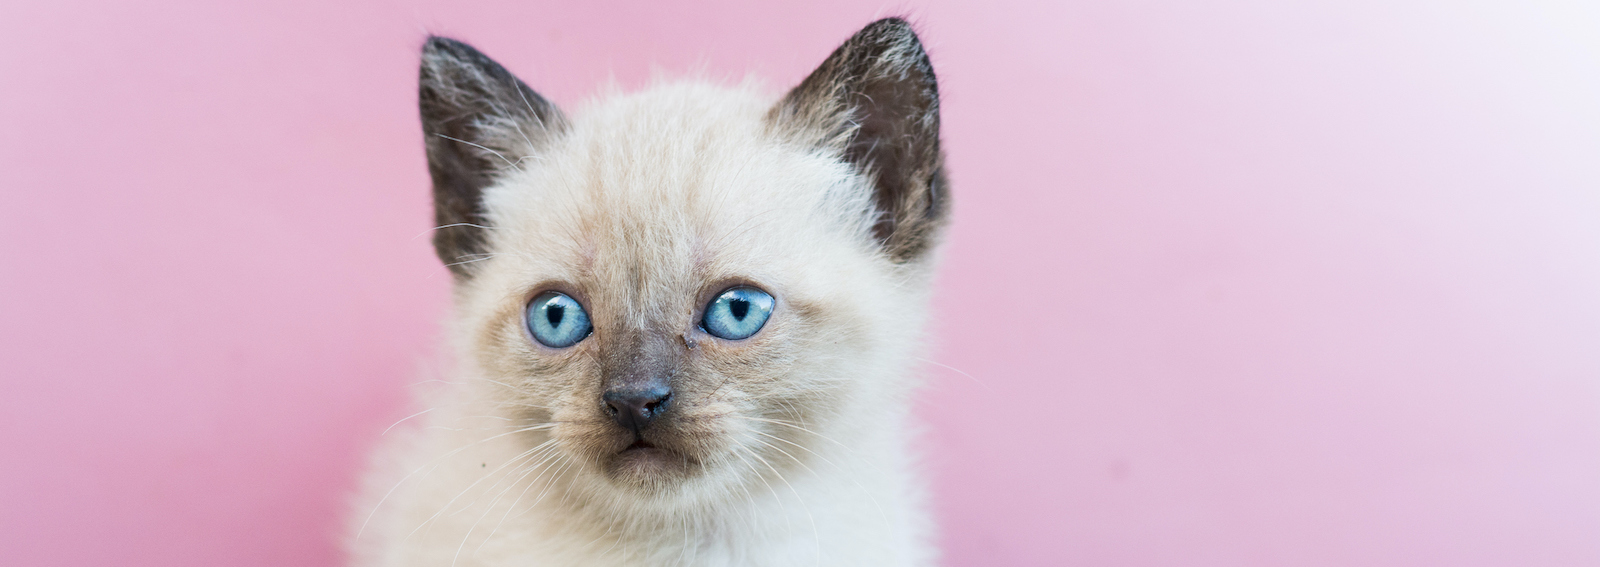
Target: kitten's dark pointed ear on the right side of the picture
{"x": 878, "y": 103}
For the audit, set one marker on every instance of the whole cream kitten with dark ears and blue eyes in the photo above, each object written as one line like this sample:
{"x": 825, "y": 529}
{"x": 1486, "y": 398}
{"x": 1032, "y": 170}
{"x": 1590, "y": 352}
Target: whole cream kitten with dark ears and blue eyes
{"x": 684, "y": 321}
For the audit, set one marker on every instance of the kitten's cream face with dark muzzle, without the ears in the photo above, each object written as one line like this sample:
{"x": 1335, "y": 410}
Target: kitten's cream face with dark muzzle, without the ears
{"x": 646, "y": 230}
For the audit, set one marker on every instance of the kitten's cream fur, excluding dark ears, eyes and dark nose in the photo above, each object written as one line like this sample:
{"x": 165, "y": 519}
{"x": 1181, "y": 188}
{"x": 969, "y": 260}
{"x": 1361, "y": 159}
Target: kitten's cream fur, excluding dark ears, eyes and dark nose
{"x": 641, "y": 207}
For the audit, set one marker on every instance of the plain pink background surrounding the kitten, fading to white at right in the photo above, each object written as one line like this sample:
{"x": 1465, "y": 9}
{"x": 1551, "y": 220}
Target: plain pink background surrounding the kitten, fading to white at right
{"x": 1233, "y": 286}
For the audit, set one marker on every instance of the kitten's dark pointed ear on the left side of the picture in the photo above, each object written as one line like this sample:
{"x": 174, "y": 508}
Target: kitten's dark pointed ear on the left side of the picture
{"x": 478, "y": 121}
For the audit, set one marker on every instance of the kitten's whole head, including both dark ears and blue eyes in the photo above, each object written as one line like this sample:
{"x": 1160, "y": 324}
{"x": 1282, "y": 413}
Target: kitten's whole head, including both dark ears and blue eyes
{"x": 690, "y": 289}
